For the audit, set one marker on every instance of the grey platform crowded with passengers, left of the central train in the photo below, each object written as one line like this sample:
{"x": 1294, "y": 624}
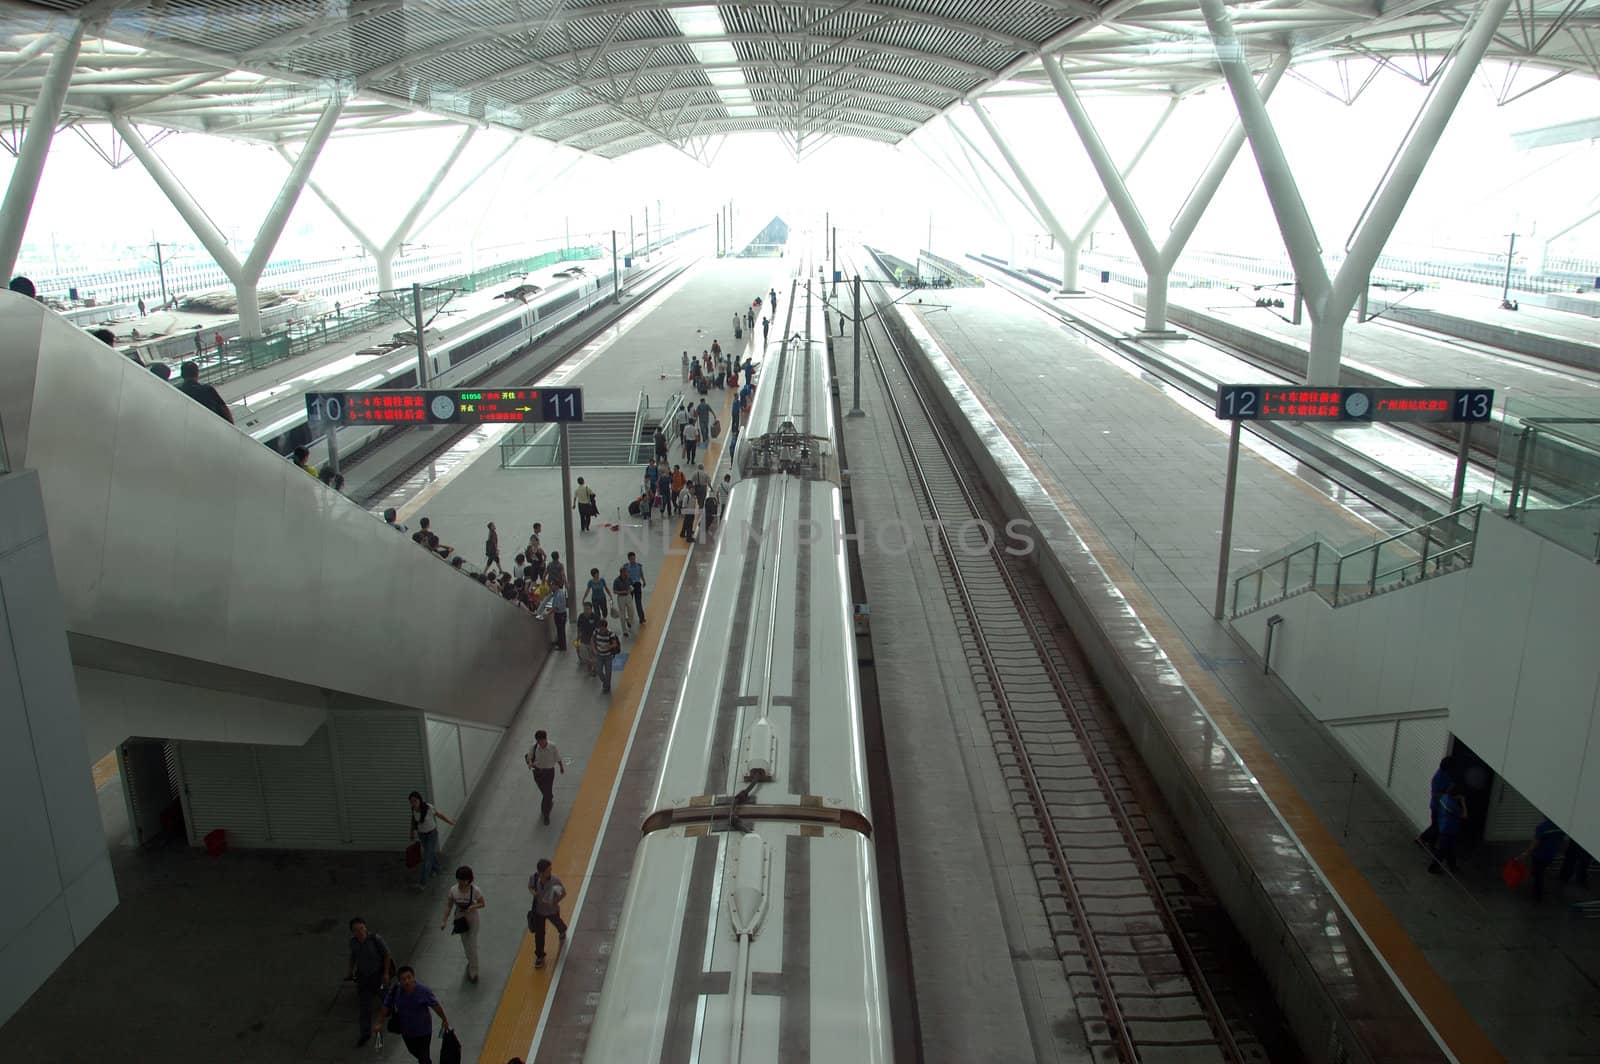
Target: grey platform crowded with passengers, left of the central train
{"x": 273, "y": 991}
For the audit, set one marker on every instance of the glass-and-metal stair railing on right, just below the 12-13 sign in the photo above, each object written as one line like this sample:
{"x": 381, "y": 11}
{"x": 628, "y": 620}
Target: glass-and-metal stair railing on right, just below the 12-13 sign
{"x": 1441, "y": 546}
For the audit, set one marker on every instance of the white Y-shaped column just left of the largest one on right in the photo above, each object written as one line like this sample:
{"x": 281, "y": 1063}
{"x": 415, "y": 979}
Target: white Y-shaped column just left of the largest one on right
{"x": 1158, "y": 262}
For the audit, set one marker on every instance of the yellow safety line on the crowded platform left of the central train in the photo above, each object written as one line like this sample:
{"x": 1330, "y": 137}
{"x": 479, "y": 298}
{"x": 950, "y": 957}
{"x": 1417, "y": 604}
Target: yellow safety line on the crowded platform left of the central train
{"x": 527, "y": 988}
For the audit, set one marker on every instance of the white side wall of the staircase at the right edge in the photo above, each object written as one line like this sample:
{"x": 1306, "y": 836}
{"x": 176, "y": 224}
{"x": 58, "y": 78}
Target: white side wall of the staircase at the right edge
{"x": 1508, "y": 647}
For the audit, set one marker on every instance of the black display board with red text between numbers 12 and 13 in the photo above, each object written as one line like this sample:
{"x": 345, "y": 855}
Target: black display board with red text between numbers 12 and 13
{"x": 1294, "y": 402}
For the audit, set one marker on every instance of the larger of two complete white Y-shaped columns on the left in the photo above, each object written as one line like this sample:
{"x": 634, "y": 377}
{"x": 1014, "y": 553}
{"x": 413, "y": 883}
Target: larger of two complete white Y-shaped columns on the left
{"x": 247, "y": 274}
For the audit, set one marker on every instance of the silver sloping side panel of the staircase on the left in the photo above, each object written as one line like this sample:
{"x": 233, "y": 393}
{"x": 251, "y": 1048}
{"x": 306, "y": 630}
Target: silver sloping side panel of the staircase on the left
{"x": 178, "y": 534}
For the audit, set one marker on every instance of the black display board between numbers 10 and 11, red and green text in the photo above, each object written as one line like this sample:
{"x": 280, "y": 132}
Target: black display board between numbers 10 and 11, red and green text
{"x": 476, "y": 406}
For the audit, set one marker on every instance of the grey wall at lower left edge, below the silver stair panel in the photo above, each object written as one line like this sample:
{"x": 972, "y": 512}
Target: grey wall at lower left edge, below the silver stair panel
{"x": 58, "y": 884}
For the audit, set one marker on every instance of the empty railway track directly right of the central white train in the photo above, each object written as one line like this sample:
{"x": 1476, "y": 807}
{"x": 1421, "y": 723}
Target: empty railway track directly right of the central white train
{"x": 1127, "y": 919}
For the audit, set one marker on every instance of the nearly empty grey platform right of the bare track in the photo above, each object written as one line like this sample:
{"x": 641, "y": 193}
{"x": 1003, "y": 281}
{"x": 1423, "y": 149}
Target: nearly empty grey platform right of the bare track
{"x": 1138, "y": 478}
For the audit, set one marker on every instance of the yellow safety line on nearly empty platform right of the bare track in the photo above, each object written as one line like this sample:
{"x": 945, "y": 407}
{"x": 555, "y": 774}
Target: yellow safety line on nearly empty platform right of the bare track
{"x": 1434, "y": 998}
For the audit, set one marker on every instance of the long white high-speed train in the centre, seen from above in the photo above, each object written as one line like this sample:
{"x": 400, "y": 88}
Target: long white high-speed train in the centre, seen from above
{"x": 751, "y": 932}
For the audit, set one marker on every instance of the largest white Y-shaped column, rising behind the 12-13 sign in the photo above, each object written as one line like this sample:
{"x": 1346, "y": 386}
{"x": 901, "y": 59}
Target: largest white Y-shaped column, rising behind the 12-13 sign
{"x": 1330, "y": 300}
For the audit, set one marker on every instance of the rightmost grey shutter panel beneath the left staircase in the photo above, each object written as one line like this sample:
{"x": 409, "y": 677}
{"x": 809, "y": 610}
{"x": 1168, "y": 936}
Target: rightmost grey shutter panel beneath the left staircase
{"x": 380, "y": 761}
